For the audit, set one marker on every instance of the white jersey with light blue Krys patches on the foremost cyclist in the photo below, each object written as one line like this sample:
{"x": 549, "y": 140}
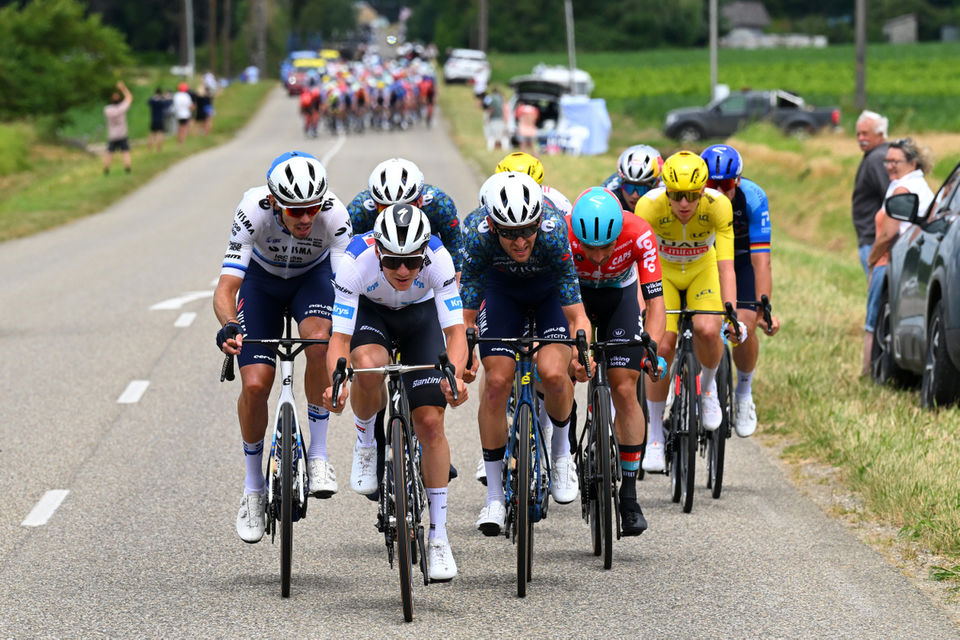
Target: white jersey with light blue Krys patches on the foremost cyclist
{"x": 360, "y": 274}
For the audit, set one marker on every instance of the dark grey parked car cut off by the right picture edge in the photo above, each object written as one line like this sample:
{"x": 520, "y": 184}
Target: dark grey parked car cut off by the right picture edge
{"x": 918, "y": 331}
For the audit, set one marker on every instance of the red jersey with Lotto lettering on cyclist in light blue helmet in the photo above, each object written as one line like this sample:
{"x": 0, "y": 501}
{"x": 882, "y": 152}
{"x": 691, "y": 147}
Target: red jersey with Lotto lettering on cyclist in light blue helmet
{"x": 634, "y": 255}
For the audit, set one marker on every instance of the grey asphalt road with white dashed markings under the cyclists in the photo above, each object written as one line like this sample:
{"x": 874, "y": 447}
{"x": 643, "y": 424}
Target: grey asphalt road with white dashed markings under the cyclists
{"x": 143, "y": 544}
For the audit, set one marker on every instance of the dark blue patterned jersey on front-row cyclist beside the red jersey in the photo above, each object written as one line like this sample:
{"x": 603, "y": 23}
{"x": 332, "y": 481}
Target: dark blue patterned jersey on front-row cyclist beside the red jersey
{"x": 551, "y": 258}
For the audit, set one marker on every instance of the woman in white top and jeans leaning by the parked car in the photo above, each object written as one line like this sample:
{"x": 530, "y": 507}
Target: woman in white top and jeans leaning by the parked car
{"x": 905, "y": 164}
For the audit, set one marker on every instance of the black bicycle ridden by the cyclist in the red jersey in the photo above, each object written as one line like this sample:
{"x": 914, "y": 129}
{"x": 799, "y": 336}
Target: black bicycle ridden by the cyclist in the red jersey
{"x": 598, "y": 452}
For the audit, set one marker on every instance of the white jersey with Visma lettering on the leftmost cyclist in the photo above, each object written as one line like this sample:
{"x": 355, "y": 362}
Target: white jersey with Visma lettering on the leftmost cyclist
{"x": 257, "y": 234}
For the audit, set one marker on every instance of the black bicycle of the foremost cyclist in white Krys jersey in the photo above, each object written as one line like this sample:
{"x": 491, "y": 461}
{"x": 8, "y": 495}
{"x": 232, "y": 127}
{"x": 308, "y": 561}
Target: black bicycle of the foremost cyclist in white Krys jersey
{"x": 402, "y": 497}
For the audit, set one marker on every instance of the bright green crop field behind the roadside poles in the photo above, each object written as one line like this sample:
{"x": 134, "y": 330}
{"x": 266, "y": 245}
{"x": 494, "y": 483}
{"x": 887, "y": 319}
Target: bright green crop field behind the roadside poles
{"x": 914, "y": 85}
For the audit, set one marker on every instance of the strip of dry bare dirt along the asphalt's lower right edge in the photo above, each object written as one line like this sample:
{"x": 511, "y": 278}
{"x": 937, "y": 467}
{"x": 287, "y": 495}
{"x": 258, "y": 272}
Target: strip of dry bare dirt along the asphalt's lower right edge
{"x": 824, "y": 486}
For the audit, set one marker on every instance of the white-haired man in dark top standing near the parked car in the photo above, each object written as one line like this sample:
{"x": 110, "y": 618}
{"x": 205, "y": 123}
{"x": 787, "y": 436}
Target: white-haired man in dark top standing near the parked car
{"x": 871, "y": 181}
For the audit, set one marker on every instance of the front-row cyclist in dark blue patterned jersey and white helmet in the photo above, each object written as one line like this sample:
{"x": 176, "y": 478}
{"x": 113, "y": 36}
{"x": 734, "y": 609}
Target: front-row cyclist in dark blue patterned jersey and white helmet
{"x": 516, "y": 258}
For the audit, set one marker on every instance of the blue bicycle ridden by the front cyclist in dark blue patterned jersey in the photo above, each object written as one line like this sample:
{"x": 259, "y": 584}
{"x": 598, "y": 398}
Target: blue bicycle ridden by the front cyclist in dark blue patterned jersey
{"x": 526, "y": 469}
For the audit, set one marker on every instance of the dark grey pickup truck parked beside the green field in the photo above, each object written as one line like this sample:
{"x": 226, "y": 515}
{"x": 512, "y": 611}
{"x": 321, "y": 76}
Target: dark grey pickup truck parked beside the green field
{"x": 722, "y": 117}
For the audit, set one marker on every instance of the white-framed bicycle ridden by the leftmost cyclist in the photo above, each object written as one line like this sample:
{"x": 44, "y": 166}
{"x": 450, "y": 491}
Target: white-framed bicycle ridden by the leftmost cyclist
{"x": 287, "y": 480}
